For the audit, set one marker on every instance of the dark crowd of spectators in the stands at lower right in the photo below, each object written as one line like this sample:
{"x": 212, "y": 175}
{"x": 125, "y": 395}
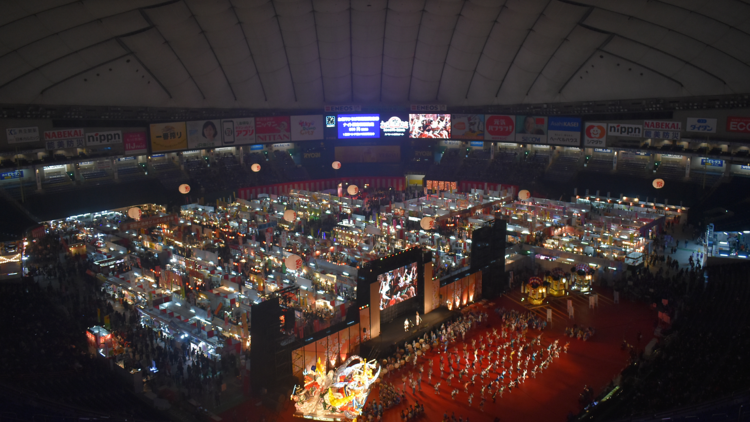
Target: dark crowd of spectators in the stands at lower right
{"x": 701, "y": 355}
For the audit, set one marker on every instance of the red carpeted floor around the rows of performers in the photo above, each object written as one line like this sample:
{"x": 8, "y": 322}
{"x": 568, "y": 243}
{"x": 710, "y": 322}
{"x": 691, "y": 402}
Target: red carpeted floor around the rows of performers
{"x": 548, "y": 397}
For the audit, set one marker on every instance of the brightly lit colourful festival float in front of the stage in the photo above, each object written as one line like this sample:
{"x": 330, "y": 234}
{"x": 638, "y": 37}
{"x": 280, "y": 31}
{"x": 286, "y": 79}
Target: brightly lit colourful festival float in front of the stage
{"x": 338, "y": 395}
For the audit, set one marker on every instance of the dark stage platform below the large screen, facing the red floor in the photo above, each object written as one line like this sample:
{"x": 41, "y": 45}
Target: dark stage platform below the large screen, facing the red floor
{"x": 392, "y": 334}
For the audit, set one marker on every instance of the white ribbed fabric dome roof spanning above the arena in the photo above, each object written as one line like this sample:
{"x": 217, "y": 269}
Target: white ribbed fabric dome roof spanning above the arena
{"x": 306, "y": 53}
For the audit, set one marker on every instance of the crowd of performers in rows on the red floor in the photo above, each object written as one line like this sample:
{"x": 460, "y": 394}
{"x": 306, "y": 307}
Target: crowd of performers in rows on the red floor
{"x": 471, "y": 361}
